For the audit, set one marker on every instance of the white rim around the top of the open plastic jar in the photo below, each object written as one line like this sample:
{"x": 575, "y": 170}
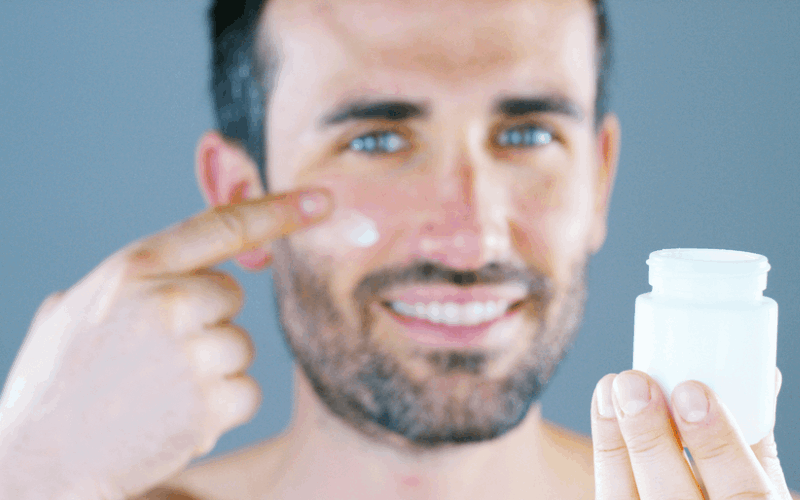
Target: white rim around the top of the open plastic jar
{"x": 707, "y": 261}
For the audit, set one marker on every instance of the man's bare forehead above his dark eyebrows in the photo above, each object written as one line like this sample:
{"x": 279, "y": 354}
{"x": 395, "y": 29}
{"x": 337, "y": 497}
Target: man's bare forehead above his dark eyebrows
{"x": 347, "y": 45}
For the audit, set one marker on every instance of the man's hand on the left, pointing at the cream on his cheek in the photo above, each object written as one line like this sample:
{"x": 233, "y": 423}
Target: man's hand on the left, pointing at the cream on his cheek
{"x": 137, "y": 369}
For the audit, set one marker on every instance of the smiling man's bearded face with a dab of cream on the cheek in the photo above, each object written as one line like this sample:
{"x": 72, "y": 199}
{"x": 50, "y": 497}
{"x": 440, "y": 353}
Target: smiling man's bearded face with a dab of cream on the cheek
{"x": 479, "y": 168}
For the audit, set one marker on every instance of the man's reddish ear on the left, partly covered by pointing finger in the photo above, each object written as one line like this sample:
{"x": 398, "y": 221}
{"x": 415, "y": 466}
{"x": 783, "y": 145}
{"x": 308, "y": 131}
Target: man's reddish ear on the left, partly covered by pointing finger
{"x": 226, "y": 175}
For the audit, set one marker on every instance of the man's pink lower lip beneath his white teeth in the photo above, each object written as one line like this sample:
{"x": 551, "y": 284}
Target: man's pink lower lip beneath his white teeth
{"x": 438, "y": 334}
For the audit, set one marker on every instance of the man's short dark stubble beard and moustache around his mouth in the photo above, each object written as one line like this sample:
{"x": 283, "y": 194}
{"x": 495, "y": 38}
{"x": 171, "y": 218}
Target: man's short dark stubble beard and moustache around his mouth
{"x": 361, "y": 381}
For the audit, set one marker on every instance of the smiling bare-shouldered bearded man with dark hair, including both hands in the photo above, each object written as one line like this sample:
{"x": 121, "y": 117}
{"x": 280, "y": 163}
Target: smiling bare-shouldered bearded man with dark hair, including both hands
{"x": 468, "y": 162}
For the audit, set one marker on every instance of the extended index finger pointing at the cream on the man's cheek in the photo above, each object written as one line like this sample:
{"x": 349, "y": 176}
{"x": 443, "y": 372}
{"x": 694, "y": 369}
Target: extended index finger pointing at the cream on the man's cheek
{"x": 220, "y": 233}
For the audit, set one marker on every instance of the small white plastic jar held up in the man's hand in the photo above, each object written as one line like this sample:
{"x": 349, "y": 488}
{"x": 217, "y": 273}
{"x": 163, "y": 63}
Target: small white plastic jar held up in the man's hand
{"x": 708, "y": 320}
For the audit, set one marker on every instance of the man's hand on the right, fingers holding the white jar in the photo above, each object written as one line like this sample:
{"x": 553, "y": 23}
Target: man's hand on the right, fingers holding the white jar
{"x": 638, "y": 453}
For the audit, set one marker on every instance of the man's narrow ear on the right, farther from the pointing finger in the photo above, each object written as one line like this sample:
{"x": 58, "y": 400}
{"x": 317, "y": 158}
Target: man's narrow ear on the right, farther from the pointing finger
{"x": 608, "y": 145}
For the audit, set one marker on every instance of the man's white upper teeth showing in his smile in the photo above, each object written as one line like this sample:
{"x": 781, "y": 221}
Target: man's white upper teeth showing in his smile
{"x": 453, "y": 314}
